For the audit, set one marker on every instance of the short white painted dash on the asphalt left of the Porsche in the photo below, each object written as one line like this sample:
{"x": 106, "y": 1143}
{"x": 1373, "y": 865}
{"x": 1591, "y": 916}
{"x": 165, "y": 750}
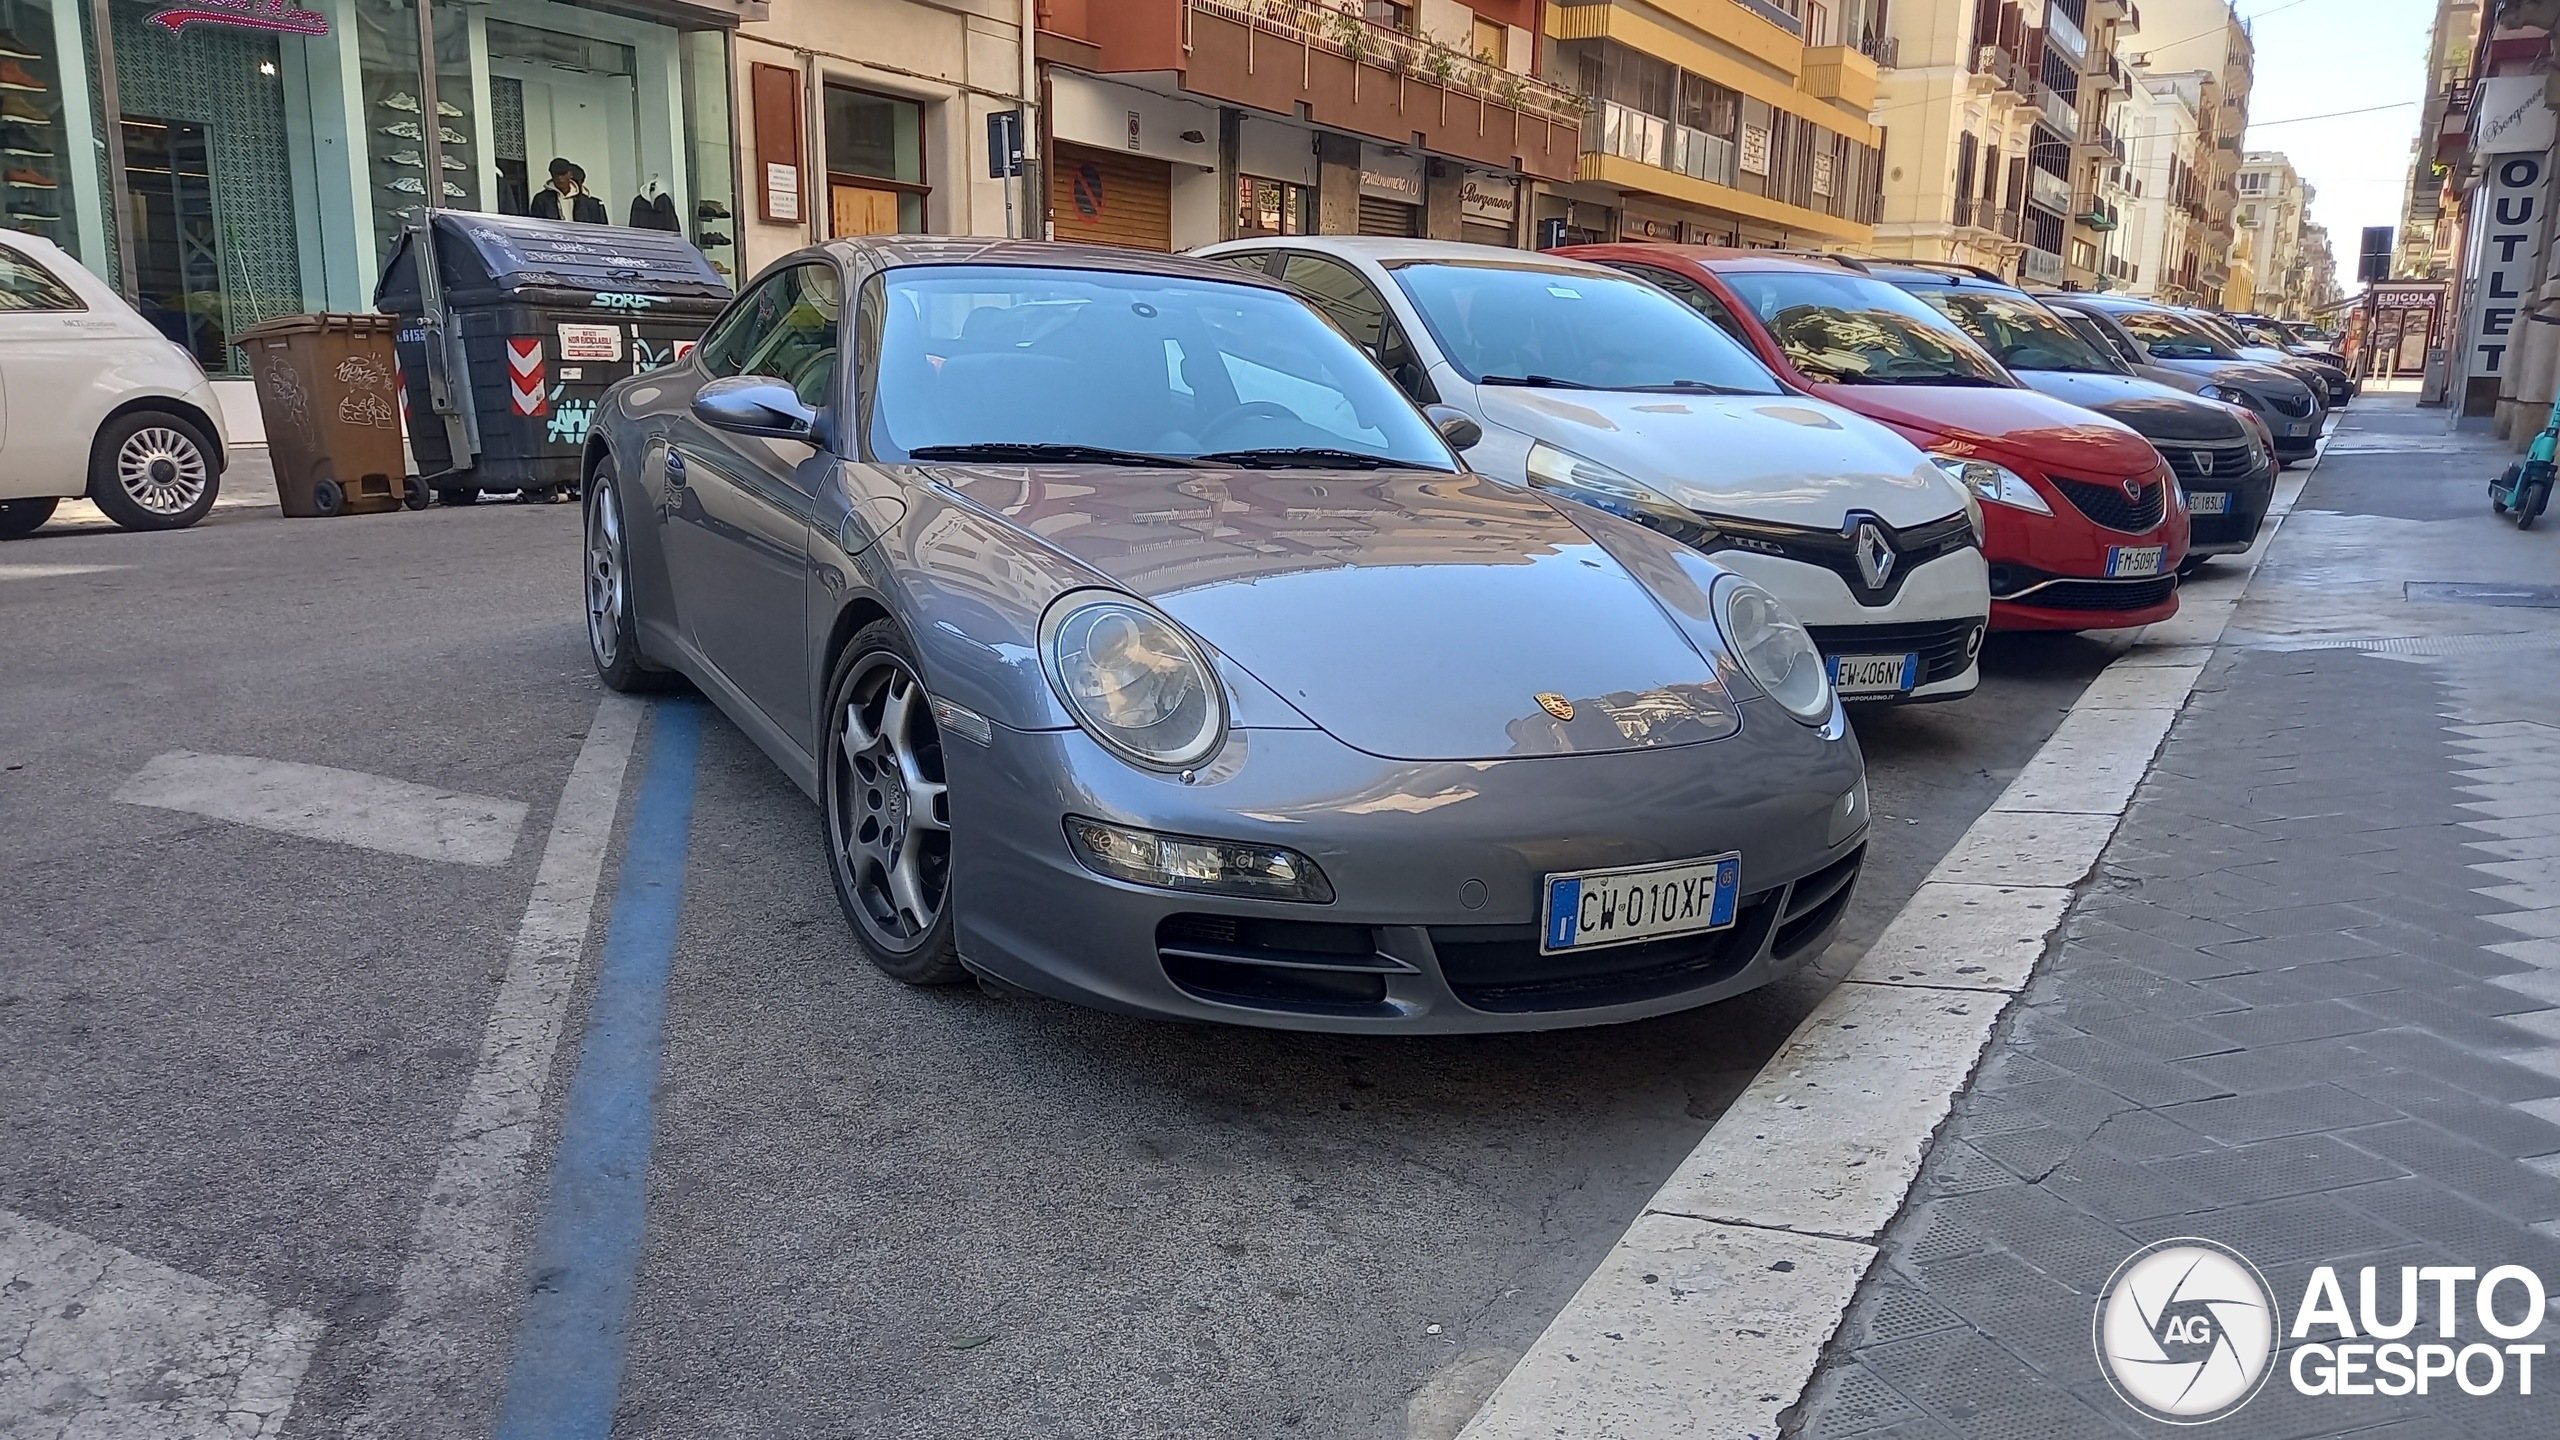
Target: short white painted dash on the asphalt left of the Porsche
{"x": 324, "y": 803}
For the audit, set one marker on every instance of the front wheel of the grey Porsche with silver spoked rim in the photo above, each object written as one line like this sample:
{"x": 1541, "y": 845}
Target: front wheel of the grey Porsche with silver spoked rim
{"x": 877, "y": 829}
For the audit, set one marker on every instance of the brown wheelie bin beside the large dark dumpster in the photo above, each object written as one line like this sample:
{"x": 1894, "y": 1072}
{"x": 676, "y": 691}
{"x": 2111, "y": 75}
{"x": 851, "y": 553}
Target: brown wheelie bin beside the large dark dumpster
{"x": 332, "y": 401}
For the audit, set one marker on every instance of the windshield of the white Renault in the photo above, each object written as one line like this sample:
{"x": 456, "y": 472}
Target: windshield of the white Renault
{"x": 1571, "y": 329}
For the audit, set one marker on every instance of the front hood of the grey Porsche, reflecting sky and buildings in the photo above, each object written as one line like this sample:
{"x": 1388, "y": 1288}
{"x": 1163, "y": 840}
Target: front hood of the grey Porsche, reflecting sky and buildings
{"x": 1409, "y": 614}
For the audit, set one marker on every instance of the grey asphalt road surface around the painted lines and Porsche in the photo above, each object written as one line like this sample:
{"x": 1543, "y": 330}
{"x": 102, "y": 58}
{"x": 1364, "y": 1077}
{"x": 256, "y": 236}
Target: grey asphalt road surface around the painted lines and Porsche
{"x": 872, "y": 1211}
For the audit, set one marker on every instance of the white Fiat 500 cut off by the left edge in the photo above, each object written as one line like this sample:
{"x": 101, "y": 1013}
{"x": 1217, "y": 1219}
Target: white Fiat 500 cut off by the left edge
{"x": 93, "y": 401}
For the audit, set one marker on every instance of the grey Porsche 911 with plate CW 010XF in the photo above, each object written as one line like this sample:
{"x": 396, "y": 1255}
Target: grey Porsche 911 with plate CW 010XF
{"x": 1143, "y": 647}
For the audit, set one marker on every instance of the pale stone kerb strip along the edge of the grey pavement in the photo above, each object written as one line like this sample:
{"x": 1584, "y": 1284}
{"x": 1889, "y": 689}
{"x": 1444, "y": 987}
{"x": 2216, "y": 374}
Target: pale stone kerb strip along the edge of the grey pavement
{"x": 1711, "y": 1316}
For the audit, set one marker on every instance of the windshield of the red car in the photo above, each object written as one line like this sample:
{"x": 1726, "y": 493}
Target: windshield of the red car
{"x": 1850, "y": 329}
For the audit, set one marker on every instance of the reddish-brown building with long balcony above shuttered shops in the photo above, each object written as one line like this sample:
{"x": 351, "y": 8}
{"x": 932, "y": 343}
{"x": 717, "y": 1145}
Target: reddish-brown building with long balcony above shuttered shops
{"x": 1174, "y": 124}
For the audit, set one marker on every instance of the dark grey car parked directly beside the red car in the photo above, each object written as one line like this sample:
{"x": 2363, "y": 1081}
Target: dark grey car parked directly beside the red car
{"x": 2223, "y": 470}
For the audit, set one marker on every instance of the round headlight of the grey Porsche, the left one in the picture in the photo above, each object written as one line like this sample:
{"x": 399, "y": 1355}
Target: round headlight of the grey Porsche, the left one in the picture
{"x": 1133, "y": 680}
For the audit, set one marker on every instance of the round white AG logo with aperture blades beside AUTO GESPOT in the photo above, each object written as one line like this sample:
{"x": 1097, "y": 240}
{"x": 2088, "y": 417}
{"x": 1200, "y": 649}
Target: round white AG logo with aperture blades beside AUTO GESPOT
{"x": 2188, "y": 1331}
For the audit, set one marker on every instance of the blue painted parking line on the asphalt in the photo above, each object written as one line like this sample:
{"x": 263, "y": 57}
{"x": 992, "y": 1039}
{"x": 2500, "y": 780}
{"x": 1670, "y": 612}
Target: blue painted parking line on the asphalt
{"x": 580, "y": 1280}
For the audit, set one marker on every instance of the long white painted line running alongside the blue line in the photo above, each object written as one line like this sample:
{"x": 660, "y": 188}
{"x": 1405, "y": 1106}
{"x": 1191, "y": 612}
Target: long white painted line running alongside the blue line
{"x": 467, "y": 1223}
